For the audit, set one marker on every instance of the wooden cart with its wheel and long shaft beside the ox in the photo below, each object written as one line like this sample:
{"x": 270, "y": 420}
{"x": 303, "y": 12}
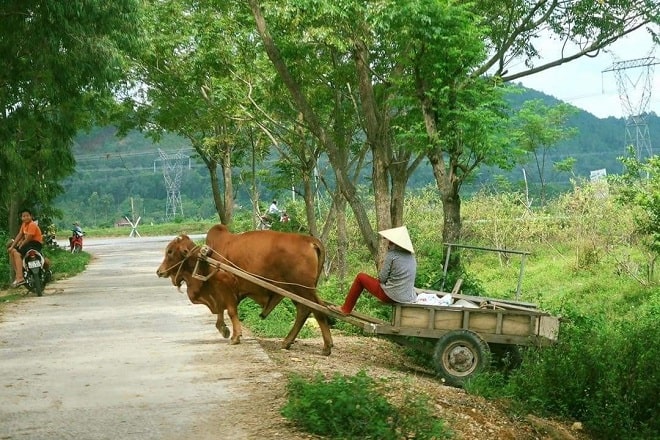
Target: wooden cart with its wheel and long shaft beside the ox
{"x": 464, "y": 331}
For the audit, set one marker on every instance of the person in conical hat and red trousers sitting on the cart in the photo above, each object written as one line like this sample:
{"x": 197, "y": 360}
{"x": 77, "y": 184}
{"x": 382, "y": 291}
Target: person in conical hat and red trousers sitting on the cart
{"x": 396, "y": 278}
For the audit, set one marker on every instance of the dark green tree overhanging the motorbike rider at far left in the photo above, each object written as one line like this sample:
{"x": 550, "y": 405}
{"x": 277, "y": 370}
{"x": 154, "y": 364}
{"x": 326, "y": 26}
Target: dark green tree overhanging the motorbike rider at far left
{"x": 60, "y": 61}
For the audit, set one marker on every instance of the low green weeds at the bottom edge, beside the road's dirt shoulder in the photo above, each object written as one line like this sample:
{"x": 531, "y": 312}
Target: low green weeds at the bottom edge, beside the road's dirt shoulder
{"x": 348, "y": 407}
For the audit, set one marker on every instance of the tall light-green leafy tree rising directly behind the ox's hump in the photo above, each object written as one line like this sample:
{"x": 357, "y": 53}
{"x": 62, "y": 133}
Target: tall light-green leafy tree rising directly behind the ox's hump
{"x": 188, "y": 82}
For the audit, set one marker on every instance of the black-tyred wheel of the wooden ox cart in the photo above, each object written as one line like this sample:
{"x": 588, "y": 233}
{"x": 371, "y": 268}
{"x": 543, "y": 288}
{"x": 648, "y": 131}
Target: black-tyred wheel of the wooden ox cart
{"x": 459, "y": 355}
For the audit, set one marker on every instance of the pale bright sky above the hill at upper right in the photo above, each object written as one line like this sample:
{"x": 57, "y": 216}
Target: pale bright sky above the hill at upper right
{"x": 583, "y": 84}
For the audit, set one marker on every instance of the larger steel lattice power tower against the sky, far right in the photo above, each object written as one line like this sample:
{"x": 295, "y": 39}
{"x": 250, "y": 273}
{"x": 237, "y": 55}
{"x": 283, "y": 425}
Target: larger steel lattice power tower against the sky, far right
{"x": 635, "y": 95}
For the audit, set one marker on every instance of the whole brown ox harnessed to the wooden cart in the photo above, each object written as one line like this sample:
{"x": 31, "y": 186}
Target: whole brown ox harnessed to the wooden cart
{"x": 290, "y": 261}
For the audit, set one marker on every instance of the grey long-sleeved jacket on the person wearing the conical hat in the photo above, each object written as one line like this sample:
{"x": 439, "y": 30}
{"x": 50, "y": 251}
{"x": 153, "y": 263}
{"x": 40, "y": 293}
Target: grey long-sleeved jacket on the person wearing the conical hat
{"x": 397, "y": 276}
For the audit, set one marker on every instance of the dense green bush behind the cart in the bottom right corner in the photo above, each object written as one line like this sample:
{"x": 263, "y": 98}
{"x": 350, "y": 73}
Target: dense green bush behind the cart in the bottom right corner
{"x": 602, "y": 372}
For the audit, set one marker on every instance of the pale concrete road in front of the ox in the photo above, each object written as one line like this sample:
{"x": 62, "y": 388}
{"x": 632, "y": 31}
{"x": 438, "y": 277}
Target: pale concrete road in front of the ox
{"x": 117, "y": 353}
